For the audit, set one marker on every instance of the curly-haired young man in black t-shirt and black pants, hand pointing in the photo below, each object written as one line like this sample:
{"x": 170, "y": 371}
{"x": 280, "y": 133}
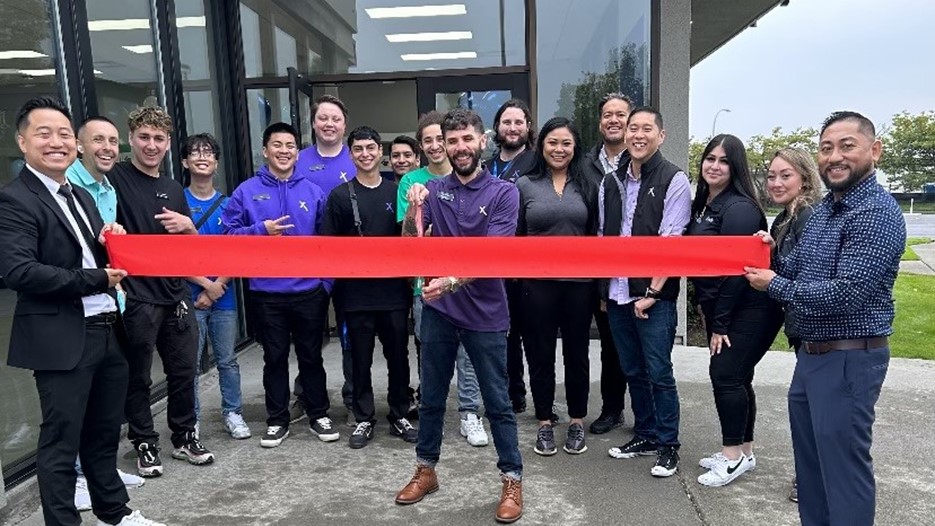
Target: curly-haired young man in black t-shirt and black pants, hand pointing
{"x": 158, "y": 314}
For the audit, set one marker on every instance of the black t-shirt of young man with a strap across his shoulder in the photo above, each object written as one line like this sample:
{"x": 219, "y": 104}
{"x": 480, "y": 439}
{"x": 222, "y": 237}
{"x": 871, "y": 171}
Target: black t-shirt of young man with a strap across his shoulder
{"x": 377, "y": 208}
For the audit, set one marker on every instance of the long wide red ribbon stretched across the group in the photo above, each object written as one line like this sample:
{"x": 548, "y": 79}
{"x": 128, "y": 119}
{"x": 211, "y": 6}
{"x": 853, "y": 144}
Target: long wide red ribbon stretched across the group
{"x": 467, "y": 257}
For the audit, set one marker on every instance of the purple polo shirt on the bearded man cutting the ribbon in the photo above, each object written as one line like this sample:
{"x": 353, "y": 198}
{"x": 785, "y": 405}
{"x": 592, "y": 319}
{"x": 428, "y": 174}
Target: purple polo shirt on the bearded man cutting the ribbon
{"x": 483, "y": 207}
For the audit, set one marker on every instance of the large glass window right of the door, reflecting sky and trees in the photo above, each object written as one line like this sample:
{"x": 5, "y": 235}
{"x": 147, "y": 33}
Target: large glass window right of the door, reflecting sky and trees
{"x": 585, "y": 49}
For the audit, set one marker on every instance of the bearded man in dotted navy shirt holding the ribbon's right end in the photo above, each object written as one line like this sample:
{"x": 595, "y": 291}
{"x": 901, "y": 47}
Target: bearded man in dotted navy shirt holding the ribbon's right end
{"x": 840, "y": 279}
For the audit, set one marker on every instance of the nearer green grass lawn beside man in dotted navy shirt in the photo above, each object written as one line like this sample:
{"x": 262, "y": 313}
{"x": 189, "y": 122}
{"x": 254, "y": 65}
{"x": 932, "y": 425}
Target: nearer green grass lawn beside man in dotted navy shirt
{"x": 914, "y": 327}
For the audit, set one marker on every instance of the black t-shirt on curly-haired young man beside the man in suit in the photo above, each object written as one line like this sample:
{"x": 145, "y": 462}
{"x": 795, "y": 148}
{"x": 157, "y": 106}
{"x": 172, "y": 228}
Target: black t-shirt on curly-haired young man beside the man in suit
{"x": 139, "y": 198}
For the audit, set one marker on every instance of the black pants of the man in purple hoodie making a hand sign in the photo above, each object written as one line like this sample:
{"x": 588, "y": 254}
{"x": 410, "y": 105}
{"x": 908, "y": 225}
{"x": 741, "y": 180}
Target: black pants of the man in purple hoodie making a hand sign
{"x": 299, "y": 319}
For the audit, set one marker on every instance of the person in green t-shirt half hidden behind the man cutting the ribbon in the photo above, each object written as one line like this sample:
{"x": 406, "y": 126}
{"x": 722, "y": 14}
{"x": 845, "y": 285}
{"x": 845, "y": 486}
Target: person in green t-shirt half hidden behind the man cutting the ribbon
{"x": 429, "y": 134}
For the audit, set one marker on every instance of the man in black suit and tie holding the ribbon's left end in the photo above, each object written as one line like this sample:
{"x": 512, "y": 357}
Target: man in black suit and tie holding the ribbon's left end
{"x": 65, "y": 322}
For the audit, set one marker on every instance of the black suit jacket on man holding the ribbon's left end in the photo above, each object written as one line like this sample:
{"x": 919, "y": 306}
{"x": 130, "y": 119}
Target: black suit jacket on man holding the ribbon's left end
{"x": 42, "y": 263}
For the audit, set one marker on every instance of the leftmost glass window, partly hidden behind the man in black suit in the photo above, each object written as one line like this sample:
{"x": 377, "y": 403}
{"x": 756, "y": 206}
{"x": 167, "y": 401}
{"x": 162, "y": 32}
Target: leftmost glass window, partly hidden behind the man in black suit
{"x": 28, "y": 66}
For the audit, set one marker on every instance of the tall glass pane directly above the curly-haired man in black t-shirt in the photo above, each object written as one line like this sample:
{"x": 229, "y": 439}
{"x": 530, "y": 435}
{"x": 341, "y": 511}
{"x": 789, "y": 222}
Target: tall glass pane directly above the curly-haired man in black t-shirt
{"x": 126, "y": 73}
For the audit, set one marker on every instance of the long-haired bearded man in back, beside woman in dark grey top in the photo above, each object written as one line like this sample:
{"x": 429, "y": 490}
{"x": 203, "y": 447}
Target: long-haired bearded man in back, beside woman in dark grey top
{"x": 516, "y": 137}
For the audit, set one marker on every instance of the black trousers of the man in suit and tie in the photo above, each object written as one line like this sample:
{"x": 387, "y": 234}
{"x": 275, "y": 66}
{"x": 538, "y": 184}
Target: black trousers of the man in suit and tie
{"x": 82, "y": 410}
